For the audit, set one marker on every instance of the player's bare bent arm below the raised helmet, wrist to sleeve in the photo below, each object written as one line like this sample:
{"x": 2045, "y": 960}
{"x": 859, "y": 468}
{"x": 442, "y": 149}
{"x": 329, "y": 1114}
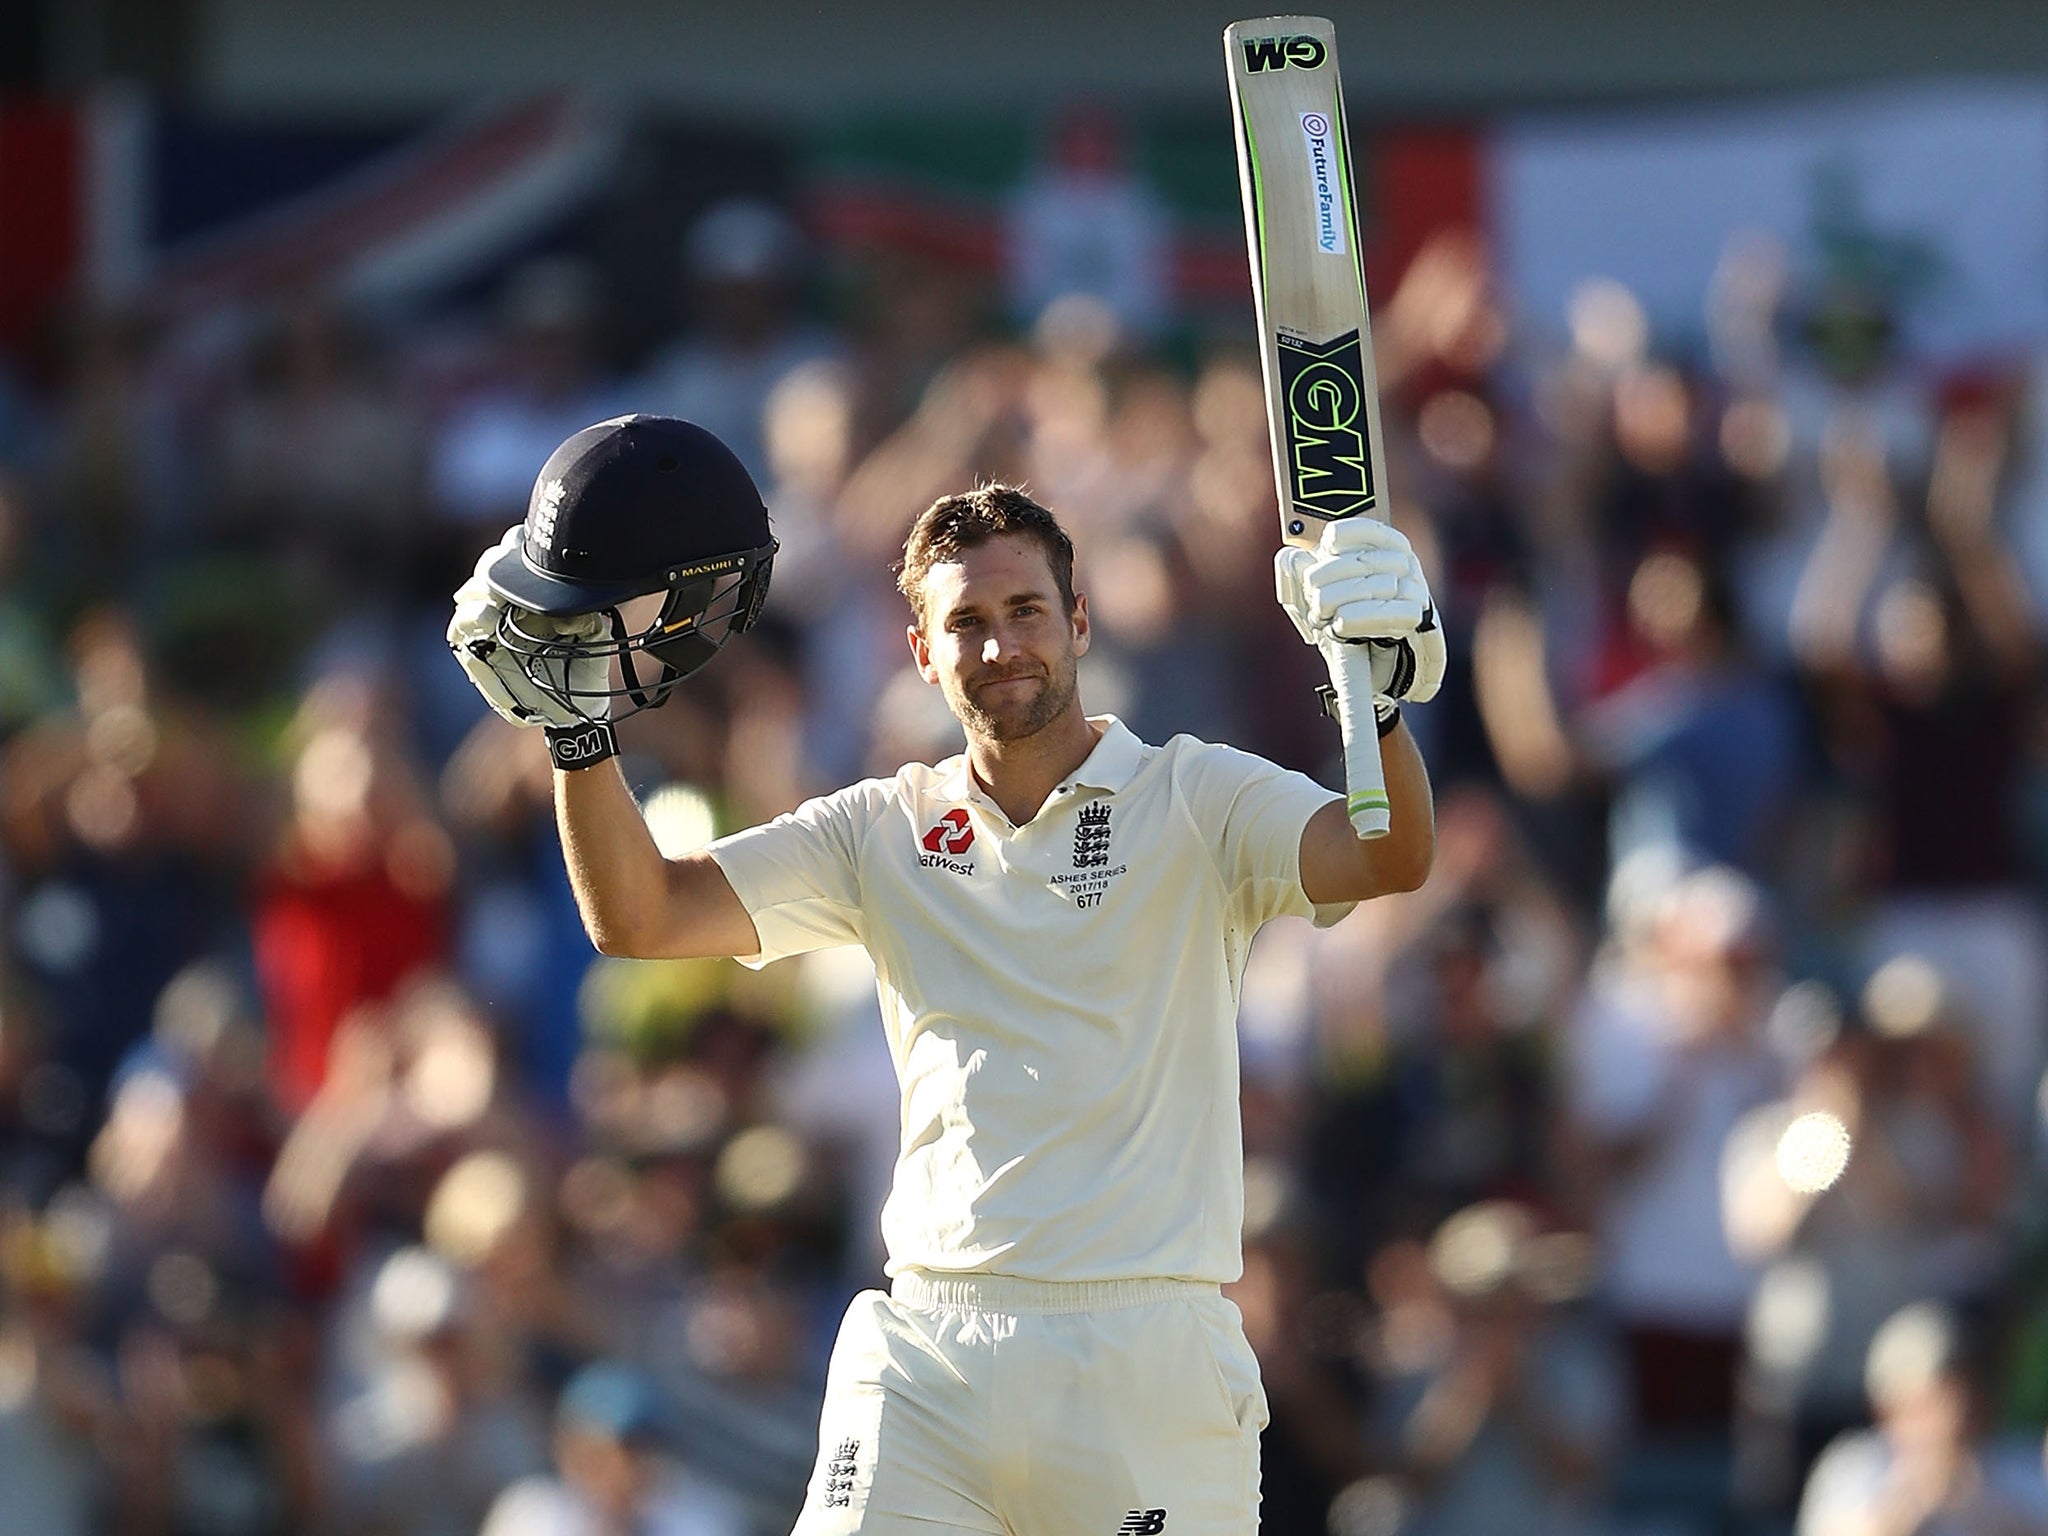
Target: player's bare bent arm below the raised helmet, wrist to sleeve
{"x": 636, "y": 902}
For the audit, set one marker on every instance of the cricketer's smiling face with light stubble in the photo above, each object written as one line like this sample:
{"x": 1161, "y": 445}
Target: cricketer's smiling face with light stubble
{"x": 998, "y": 640}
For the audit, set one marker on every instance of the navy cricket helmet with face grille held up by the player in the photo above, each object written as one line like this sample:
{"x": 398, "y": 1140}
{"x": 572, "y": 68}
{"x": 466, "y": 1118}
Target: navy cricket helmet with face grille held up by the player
{"x": 624, "y": 511}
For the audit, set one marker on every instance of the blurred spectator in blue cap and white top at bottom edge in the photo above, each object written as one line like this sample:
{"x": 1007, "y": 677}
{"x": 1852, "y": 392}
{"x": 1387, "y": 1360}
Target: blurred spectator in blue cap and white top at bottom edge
{"x": 613, "y": 1474}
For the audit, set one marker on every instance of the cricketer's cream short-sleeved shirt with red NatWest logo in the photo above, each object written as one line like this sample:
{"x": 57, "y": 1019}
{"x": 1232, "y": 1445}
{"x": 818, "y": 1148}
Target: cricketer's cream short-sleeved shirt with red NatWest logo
{"x": 1060, "y": 998}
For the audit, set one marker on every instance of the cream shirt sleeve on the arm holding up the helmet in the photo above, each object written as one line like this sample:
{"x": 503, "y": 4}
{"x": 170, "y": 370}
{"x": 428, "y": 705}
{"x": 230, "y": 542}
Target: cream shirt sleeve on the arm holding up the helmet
{"x": 800, "y": 876}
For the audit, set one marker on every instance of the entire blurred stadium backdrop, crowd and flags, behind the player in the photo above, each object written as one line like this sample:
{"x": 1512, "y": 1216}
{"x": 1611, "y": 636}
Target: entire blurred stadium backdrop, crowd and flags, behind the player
{"x": 1678, "y": 1134}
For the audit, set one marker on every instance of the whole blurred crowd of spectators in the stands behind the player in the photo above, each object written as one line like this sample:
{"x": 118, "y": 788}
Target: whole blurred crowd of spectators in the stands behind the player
{"x": 1668, "y": 1164}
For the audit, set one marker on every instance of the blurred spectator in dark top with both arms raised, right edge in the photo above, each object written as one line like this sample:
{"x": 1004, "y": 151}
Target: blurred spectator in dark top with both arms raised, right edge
{"x": 1940, "y": 695}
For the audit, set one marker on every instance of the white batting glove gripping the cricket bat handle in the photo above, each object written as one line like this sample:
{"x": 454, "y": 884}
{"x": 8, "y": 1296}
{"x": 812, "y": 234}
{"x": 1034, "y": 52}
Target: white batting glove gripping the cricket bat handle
{"x": 1363, "y": 587}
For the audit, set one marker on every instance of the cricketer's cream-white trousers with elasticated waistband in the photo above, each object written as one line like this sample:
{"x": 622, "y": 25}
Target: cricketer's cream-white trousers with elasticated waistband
{"x": 1027, "y": 1408}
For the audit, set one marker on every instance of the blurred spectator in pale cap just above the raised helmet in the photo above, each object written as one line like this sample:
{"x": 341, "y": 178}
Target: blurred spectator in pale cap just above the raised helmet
{"x": 742, "y": 265}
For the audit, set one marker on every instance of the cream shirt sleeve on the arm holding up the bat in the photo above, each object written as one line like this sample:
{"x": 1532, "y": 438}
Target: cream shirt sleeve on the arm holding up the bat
{"x": 1252, "y": 814}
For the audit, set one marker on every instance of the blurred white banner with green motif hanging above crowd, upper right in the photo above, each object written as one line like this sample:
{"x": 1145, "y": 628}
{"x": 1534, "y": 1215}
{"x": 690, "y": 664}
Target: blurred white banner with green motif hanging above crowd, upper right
{"x": 1949, "y": 185}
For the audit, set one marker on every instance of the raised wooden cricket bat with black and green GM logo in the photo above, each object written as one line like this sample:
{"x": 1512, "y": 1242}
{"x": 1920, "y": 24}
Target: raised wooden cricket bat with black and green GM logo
{"x": 1316, "y": 345}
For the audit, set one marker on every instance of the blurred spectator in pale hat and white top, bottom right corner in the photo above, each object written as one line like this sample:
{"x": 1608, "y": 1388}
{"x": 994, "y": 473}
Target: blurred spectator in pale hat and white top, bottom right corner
{"x": 1932, "y": 1463}
